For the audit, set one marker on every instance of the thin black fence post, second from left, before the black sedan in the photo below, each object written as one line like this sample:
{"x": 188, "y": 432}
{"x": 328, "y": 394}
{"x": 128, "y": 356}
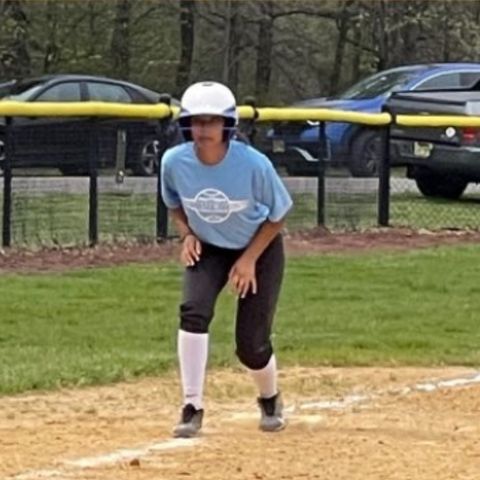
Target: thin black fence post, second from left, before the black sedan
{"x": 93, "y": 186}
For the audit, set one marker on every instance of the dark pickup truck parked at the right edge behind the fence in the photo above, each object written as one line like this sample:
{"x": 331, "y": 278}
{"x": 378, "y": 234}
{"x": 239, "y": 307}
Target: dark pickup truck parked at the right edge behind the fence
{"x": 442, "y": 160}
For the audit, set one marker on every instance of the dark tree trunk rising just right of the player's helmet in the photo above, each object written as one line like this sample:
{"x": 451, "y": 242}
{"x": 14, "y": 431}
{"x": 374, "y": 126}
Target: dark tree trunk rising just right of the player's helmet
{"x": 264, "y": 52}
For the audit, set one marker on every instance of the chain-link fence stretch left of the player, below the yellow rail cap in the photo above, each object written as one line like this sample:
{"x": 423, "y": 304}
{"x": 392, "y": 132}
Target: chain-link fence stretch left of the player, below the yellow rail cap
{"x": 68, "y": 182}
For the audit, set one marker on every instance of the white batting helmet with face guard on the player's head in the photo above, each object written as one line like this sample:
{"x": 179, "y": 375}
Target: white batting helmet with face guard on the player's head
{"x": 208, "y": 98}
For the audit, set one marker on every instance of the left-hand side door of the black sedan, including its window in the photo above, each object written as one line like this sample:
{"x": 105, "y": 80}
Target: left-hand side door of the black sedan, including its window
{"x": 52, "y": 141}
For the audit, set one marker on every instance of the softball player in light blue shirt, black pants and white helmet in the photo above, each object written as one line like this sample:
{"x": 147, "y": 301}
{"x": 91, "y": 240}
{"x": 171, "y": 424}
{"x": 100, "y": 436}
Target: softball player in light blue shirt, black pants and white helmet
{"x": 228, "y": 205}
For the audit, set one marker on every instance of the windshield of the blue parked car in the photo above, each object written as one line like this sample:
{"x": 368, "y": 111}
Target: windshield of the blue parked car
{"x": 379, "y": 84}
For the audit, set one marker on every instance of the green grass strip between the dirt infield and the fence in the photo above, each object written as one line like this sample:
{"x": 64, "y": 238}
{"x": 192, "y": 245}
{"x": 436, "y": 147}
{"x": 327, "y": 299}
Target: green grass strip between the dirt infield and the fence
{"x": 103, "y": 325}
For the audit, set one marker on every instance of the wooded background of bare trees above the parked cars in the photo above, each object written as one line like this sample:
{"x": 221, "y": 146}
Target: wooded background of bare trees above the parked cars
{"x": 278, "y": 51}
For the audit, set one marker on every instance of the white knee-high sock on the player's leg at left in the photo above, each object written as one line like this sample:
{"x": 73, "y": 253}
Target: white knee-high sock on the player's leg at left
{"x": 192, "y": 355}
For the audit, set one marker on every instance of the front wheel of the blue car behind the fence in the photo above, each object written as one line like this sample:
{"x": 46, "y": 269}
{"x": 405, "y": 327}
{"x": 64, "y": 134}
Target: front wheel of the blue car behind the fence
{"x": 365, "y": 154}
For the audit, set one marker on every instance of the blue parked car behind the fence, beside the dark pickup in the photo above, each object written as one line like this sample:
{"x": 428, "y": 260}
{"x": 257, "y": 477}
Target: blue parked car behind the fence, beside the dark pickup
{"x": 295, "y": 145}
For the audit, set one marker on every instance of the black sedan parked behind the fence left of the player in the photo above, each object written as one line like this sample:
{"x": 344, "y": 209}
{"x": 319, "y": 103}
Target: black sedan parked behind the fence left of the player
{"x": 62, "y": 142}
